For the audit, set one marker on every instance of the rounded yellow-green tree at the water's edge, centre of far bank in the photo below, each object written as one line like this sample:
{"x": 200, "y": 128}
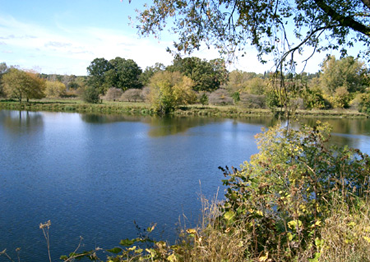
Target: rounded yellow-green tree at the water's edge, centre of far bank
{"x": 169, "y": 90}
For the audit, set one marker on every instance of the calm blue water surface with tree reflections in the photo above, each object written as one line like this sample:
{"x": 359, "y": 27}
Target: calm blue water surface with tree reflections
{"x": 92, "y": 176}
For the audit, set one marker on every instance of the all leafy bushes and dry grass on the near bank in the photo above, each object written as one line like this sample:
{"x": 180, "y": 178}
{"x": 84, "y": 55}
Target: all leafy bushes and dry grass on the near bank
{"x": 298, "y": 199}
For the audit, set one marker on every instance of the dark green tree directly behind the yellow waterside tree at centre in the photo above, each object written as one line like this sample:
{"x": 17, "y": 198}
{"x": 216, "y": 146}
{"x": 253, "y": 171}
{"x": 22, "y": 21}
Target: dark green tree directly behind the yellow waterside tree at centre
{"x": 207, "y": 76}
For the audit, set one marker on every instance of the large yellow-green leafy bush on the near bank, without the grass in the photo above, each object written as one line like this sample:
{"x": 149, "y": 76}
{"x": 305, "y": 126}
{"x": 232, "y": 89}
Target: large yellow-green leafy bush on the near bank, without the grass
{"x": 285, "y": 193}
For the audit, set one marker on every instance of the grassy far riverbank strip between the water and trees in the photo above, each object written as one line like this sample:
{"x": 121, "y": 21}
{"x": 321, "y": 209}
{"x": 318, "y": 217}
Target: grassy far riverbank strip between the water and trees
{"x": 144, "y": 109}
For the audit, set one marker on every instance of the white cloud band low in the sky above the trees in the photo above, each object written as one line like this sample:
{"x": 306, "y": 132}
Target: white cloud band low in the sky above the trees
{"x": 58, "y": 48}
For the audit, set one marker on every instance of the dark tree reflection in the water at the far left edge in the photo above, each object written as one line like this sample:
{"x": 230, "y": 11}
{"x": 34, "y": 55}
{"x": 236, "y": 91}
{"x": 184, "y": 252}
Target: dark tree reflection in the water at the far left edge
{"x": 21, "y": 120}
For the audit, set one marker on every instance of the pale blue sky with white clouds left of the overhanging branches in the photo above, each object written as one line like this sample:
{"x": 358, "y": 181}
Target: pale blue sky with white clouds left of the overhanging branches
{"x": 64, "y": 36}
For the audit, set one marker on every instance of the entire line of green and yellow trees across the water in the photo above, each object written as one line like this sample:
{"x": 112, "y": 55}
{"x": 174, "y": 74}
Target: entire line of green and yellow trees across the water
{"x": 341, "y": 83}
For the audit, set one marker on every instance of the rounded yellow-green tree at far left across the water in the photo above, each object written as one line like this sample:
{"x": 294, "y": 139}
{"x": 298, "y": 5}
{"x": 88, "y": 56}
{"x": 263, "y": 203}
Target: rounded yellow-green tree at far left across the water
{"x": 21, "y": 84}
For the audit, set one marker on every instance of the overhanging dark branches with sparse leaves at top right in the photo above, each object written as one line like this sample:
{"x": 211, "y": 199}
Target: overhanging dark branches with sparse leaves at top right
{"x": 278, "y": 29}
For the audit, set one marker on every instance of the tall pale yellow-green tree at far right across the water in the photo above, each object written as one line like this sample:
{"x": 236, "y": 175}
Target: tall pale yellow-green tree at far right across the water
{"x": 346, "y": 72}
